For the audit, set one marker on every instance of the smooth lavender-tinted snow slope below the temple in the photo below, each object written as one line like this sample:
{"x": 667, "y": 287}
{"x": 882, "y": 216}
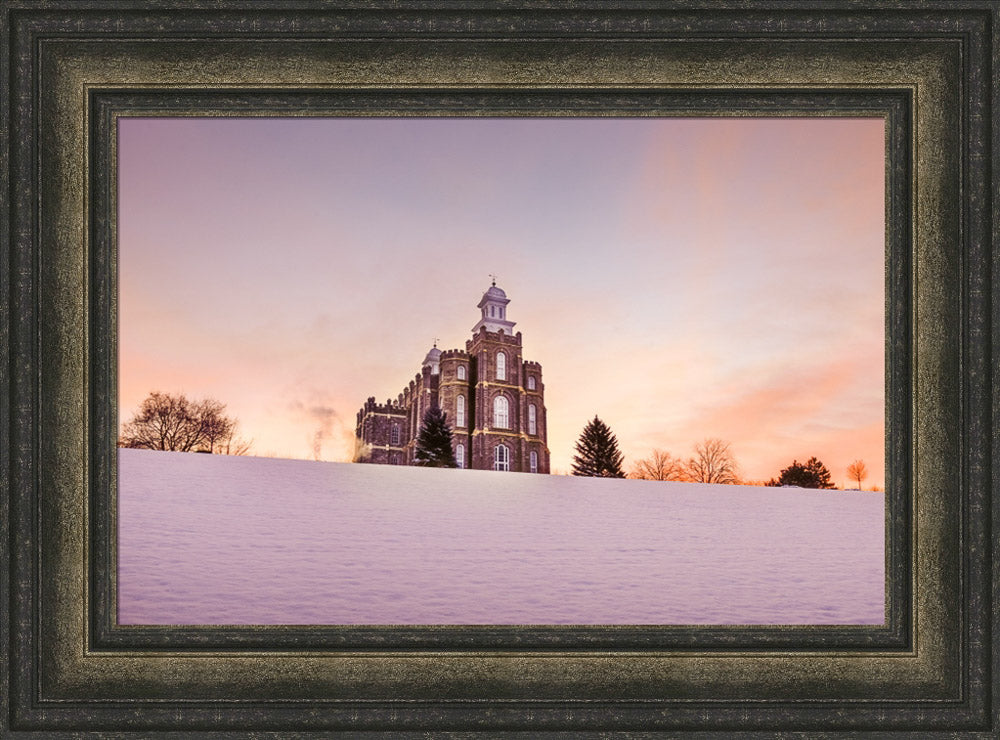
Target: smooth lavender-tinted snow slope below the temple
{"x": 208, "y": 539}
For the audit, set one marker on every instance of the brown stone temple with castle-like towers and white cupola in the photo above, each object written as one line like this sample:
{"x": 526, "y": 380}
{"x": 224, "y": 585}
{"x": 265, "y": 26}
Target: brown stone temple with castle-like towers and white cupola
{"x": 493, "y": 399}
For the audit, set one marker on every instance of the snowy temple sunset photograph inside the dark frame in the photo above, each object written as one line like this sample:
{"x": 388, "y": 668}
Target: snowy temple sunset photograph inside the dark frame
{"x": 408, "y": 207}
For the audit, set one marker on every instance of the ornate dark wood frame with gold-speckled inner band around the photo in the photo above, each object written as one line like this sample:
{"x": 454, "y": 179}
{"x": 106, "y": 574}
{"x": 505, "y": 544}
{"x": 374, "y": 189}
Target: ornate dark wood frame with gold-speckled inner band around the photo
{"x": 70, "y": 68}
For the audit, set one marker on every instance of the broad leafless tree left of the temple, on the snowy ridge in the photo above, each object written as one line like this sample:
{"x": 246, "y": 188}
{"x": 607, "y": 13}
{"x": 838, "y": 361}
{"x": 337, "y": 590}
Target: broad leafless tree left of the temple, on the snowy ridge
{"x": 172, "y": 422}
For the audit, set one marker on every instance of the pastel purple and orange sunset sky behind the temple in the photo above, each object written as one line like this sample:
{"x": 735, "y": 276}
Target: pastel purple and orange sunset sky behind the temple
{"x": 680, "y": 278}
